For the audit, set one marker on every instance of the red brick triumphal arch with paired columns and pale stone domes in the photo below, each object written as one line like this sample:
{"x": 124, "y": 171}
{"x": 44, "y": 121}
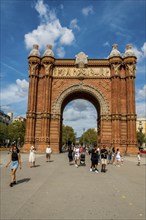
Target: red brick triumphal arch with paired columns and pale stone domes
{"x": 109, "y": 84}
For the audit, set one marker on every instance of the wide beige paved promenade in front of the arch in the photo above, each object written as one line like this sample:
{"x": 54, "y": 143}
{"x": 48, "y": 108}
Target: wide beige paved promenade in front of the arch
{"x": 55, "y": 190}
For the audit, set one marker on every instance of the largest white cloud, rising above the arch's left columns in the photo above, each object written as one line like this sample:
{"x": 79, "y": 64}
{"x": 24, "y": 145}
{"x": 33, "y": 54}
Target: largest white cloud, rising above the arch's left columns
{"x": 50, "y": 30}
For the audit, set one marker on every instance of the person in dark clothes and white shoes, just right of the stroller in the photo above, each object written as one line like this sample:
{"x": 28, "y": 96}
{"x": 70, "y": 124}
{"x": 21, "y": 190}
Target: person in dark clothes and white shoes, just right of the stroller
{"x": 94, "y": 160}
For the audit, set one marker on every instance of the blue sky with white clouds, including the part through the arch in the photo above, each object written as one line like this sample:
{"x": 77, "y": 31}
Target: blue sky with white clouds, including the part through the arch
{"x": 71, "y": 27}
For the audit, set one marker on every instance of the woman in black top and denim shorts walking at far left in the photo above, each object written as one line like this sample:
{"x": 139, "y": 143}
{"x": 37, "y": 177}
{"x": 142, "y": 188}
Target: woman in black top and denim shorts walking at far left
{"x": 15, "y": 161}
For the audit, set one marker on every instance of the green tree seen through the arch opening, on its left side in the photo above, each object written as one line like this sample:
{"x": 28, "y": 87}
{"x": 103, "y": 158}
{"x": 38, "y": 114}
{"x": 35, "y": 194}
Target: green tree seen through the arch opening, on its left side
{"x": 68, "y": 135}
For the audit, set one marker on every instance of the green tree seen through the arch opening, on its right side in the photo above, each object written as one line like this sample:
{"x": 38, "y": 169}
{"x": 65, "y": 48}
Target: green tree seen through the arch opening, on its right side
{"x": 89, "y": 137}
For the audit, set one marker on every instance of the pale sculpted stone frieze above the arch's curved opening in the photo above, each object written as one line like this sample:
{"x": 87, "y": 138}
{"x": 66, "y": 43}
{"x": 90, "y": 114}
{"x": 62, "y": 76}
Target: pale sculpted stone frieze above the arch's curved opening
{"x": 77, "y": 72}
